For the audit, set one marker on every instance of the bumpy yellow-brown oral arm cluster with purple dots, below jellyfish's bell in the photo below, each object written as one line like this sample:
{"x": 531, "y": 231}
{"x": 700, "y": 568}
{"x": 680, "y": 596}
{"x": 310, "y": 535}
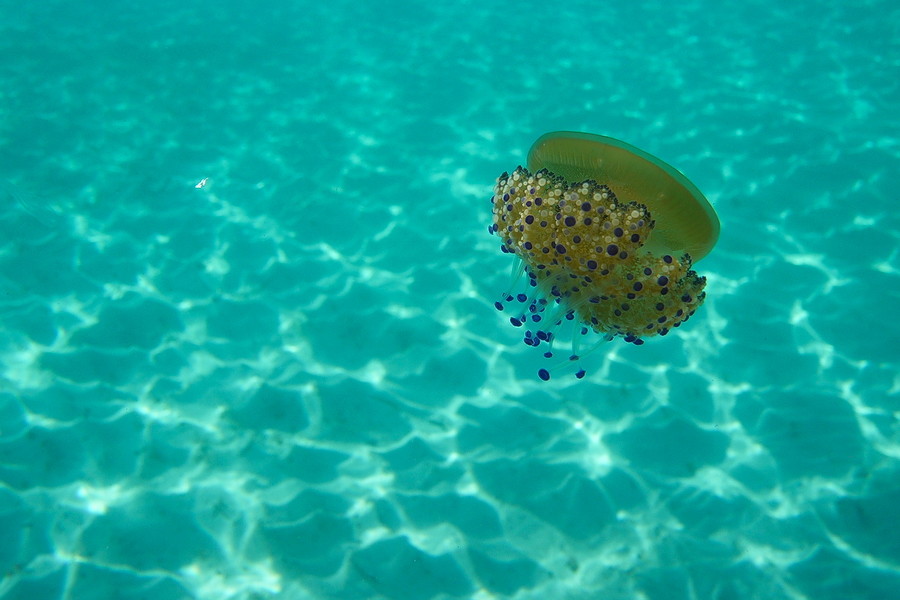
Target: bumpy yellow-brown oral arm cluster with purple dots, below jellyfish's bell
{"x": 593, "y": 263}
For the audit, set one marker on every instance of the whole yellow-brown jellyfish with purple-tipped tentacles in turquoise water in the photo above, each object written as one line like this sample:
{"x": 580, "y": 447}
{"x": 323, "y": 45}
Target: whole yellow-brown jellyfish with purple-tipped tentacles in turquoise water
{"x": 606, "y": 235}
